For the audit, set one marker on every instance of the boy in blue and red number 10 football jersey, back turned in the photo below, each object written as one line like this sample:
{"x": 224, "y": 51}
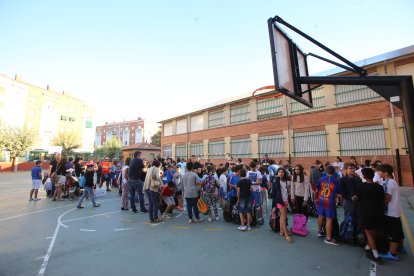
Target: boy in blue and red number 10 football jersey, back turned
{"x": 328, "y": 188}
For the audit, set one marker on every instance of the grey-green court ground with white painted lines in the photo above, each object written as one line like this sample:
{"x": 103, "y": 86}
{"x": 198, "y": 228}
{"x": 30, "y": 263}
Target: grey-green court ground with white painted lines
{"x": 56, "y": 238}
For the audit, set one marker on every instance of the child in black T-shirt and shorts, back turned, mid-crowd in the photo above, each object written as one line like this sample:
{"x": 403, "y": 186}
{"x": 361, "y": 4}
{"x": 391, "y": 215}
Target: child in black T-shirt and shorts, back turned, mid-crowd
{"x": 244, "y": 200}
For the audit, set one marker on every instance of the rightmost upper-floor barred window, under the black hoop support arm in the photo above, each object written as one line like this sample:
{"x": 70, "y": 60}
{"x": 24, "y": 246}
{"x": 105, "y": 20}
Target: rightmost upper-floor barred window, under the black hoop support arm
{"x": 354, "y": 94}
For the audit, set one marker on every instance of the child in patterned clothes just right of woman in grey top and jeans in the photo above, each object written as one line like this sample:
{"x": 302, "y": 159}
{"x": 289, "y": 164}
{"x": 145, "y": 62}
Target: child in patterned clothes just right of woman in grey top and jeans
{"x": 211, "y": 182}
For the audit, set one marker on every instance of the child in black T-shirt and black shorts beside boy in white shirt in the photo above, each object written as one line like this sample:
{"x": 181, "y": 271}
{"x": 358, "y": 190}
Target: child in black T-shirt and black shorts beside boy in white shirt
{"x": 370, "y": 196}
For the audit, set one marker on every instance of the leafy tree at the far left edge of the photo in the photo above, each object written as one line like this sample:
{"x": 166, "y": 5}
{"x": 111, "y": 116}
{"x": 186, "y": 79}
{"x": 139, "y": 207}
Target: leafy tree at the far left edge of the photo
{"x": 16, "y": 141}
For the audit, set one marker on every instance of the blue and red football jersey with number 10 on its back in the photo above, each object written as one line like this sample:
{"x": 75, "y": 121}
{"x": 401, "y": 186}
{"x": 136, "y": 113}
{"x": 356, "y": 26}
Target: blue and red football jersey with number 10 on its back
{"x": 328, "y": 187}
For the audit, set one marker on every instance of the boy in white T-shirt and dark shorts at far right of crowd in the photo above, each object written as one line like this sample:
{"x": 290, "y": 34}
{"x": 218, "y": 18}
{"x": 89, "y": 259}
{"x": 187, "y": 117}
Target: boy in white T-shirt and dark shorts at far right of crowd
{"x": 392, "y": 219}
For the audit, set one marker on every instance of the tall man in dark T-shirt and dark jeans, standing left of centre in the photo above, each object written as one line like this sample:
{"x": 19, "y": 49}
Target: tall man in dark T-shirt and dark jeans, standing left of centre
{"x": 134, "y": 182}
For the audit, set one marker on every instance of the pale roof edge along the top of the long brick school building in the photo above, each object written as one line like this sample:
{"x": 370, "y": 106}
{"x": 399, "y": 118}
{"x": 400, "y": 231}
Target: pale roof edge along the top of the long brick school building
{"x": 362, "y": 63}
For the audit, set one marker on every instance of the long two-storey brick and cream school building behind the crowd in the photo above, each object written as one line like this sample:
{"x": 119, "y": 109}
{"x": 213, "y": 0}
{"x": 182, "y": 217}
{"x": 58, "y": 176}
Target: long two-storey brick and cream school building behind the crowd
{"x": 345, "y": 121}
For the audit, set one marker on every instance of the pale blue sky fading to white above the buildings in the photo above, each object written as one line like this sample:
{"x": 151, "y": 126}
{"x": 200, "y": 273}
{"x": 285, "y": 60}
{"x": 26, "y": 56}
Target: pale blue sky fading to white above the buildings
{"x": 159, "y": 59}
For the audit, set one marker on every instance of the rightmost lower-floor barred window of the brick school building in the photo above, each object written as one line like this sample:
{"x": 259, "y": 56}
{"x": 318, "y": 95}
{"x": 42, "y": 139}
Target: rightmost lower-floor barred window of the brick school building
{"x": 365, "y": 140}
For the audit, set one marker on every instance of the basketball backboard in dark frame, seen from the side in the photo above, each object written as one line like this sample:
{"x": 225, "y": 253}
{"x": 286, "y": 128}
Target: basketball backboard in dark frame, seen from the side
{"x": 289, "y": 63}
